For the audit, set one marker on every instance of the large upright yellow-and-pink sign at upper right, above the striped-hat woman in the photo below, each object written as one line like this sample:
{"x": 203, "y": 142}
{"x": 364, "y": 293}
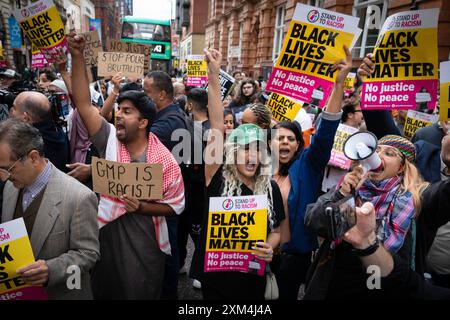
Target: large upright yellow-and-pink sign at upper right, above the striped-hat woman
{"x": 406, "y": 63}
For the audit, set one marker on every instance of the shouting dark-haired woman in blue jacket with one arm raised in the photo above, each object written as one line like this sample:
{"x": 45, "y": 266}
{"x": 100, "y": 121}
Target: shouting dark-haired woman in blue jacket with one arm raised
{"x": 299, "y": 176}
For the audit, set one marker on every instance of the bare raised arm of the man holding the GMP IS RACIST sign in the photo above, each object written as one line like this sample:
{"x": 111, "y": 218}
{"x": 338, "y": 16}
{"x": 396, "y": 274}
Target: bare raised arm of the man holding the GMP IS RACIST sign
{"x": 80, "y": 85}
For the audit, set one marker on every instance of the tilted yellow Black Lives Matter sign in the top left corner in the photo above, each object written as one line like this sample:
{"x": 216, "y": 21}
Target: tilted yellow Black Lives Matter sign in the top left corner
{"x": 42, "y": 24}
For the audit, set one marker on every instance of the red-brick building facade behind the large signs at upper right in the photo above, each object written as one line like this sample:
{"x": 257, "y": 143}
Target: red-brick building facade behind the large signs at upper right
{"x": 249, "y": 33}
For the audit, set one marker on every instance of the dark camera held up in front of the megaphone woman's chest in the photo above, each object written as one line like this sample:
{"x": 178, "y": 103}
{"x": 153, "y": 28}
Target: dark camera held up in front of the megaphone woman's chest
{"x": 342, "y": 217}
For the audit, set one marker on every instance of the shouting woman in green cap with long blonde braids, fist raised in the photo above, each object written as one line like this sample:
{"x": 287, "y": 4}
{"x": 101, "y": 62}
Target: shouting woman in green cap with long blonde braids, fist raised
{"x": 246, "y": 171}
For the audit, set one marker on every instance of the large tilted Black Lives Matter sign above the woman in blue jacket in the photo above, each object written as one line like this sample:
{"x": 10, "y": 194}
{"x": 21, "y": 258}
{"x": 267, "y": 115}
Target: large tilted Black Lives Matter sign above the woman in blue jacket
{"x": 312, "y": 45}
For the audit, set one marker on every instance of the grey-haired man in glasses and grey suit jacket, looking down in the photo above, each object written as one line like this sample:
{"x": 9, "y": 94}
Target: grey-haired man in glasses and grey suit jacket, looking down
{"x": 59, "y": 213}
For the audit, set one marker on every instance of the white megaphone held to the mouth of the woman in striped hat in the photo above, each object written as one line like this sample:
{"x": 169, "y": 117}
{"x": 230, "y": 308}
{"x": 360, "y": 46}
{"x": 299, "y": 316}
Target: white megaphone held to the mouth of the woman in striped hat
{"x": 361, "y": 146}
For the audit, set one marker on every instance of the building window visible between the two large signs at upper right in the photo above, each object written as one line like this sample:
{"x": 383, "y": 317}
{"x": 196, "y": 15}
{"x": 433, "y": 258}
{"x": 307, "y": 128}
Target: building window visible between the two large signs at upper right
{"x": 372, "y": 14}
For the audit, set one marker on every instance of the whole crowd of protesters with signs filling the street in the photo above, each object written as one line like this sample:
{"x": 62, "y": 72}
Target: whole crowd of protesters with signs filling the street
{"x": 304, "y": 186}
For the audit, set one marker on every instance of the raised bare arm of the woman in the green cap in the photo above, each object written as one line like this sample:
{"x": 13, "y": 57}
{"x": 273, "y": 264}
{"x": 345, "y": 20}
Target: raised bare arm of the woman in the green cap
{"x": 215, "y": 110}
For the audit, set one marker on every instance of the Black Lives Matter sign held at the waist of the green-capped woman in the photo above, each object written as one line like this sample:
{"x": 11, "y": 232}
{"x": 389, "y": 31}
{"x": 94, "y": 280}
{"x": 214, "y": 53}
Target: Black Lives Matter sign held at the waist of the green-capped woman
{"x": 235, "y": 225}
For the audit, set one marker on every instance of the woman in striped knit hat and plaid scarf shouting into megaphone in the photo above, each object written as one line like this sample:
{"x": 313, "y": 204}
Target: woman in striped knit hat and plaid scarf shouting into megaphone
{"x": 396, "y": 191}
